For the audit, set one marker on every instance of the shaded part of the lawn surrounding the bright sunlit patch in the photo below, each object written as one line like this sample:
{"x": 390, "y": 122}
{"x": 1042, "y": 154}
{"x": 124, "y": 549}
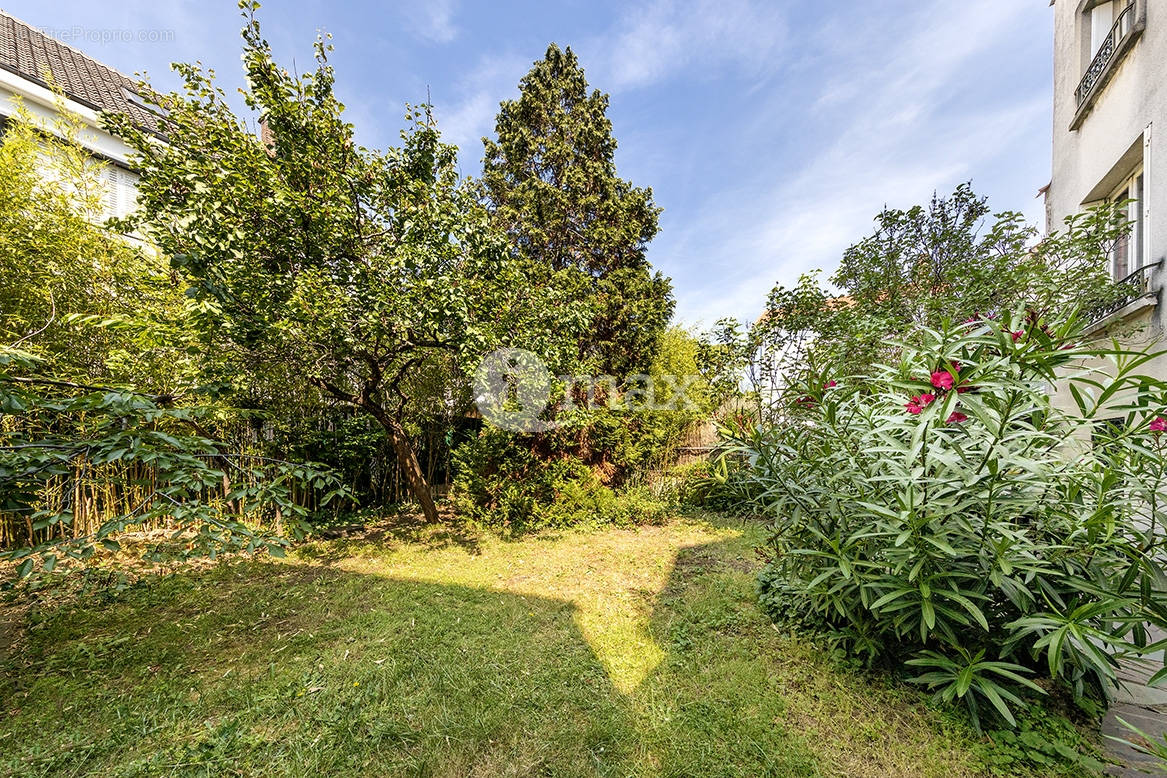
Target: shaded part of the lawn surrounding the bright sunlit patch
{"x": 267, "y": 669}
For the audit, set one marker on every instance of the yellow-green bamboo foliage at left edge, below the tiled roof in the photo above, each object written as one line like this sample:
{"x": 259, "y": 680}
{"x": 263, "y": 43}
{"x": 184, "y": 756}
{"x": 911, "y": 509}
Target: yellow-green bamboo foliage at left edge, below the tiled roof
{"x": 92, "y": 304}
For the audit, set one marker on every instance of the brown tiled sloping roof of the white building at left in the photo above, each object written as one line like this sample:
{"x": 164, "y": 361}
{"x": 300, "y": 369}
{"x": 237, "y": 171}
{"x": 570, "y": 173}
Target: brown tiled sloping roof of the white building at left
{"x": 30, "y": 53}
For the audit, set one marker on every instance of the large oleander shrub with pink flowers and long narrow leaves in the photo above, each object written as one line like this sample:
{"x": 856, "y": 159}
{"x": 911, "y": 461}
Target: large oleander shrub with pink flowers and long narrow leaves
{"x": 942, "y": 516}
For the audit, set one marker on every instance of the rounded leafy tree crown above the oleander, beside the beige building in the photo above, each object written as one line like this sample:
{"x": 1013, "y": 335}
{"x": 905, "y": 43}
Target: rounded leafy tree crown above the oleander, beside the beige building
{"x": 956, "y": 260}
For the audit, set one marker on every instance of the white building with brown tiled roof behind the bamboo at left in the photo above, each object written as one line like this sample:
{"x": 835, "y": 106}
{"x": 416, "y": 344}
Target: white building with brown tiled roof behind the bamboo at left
{"x": 30, "y": 60}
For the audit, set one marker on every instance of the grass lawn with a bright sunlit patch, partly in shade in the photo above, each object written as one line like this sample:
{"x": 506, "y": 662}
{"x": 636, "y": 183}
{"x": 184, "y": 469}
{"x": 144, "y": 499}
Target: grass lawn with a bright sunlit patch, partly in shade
{"x": 420, "y": 653}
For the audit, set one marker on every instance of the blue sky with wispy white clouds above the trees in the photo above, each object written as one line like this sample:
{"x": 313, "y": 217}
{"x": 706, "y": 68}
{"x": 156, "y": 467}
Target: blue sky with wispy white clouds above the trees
{"x": 772, "y": 132}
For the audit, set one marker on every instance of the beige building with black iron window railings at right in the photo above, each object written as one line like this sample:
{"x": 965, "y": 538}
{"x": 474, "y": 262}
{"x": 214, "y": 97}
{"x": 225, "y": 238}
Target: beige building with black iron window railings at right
{"x": 1110, "y": 96}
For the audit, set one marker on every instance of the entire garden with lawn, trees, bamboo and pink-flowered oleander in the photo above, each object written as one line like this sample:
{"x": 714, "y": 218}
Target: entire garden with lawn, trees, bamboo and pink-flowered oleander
{"x": 258, "y": 517}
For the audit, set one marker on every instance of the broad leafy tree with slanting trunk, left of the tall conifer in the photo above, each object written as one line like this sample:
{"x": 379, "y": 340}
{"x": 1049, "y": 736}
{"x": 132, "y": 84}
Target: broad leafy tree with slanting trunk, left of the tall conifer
{"x": 316, "y": 262}
